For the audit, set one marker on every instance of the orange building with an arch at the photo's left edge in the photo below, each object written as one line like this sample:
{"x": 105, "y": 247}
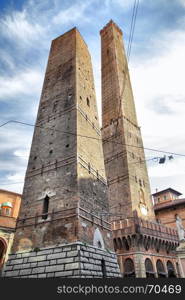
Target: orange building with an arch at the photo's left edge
{"x": 9, "y": 210}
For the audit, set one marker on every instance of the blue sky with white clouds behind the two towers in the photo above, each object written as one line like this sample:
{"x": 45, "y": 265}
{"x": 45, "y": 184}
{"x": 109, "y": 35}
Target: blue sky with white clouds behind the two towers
{"x": 157, "y": 69}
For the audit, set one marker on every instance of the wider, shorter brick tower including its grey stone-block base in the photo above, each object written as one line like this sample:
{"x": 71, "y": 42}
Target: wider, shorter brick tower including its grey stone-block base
{"x": 61, "y": 229}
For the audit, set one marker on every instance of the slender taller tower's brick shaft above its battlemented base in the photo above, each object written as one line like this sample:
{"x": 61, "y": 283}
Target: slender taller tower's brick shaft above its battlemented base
{"x": 129, "y": 188}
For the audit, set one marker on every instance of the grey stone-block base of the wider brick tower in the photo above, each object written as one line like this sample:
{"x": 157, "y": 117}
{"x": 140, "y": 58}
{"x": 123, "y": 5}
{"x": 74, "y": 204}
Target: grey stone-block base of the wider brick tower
{"x": 69, "y": 260}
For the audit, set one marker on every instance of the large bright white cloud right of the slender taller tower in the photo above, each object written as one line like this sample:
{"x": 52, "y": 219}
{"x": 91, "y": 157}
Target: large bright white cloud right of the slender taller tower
{"x": 158, "y": 85}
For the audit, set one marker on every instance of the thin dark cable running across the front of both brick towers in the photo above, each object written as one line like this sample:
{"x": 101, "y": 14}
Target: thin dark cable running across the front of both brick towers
{"x": 85, "y": 136}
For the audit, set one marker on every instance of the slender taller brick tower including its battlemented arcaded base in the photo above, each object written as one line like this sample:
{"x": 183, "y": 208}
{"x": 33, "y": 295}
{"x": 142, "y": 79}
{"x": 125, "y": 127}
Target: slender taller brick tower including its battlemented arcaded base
{"x": 144, "y": 248}
